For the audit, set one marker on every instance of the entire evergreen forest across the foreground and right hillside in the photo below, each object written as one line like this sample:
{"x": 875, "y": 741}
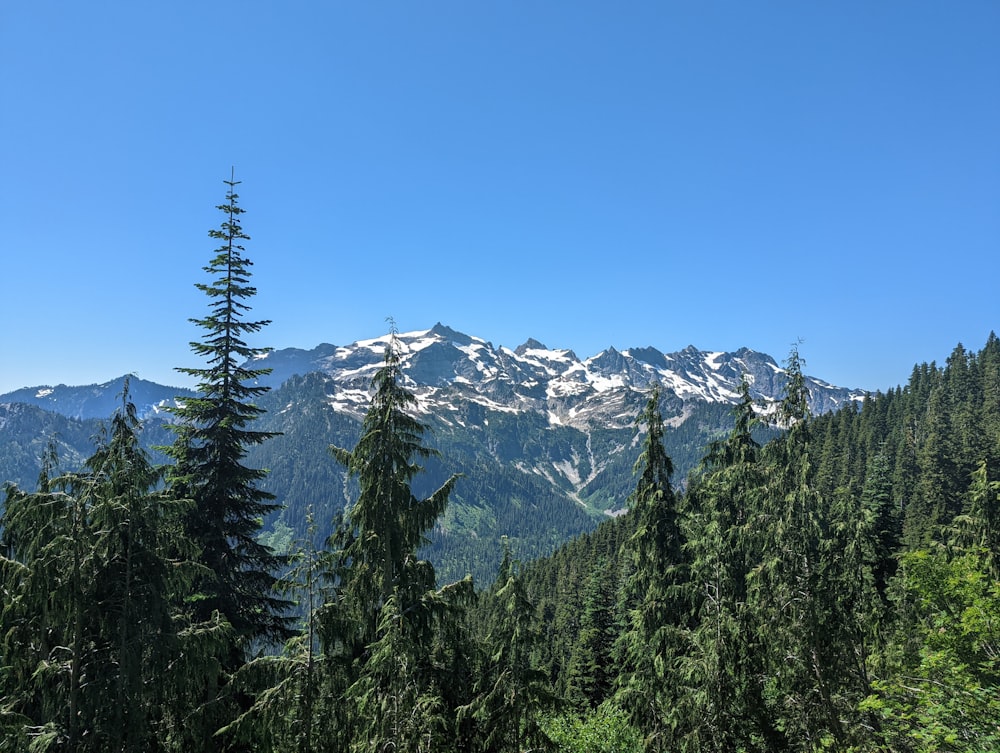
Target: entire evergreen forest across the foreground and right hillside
{"x": 835, "y": 587}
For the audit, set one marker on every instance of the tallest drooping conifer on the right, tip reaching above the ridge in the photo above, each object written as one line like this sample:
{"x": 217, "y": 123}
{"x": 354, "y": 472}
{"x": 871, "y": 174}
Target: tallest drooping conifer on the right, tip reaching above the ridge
{"x": 798, "y": 591}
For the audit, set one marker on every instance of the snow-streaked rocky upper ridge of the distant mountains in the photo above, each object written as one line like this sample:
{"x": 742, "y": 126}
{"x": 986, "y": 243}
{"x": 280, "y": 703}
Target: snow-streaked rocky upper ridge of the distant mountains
{"x": 446, "y": 368}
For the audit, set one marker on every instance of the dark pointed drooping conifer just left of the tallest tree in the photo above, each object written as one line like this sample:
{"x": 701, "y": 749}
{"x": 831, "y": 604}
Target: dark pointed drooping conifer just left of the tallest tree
{"x": 135, "y": 585}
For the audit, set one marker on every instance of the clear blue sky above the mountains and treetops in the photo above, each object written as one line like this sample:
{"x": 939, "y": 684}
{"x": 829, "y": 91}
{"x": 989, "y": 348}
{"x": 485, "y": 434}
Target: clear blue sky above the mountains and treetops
{"x": 589, "y": 174}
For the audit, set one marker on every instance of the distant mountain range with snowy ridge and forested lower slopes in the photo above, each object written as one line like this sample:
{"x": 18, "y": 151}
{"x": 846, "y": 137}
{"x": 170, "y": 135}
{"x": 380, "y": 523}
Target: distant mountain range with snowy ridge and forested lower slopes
{"x": 545, "y": 441}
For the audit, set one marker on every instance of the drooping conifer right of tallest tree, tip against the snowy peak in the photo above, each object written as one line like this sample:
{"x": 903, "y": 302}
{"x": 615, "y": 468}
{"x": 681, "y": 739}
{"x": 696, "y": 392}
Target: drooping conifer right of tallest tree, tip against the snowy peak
{"x": 385, "y": 612}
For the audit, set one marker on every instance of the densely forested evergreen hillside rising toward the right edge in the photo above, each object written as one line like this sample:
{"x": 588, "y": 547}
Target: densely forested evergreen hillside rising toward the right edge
{"x": 834, "y": 589}
